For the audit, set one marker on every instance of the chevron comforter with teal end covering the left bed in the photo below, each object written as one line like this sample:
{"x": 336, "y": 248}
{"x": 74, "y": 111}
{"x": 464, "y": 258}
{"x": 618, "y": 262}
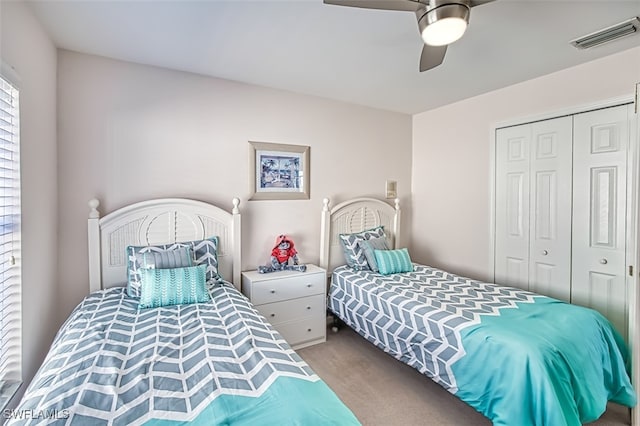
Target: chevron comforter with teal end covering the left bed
{"x": 217, "y": 363}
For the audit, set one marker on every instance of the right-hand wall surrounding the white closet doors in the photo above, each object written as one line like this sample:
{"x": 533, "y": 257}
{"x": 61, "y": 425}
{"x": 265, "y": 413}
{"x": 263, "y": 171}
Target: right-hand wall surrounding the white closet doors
{"x": 451, "y": 156}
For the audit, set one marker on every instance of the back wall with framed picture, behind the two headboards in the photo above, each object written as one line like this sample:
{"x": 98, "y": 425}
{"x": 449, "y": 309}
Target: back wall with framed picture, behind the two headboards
{"x": 130, "y": 132}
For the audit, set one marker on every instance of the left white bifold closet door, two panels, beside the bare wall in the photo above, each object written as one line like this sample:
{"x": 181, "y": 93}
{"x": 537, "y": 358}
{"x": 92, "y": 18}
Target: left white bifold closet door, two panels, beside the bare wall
{"x": 533, "y": 207}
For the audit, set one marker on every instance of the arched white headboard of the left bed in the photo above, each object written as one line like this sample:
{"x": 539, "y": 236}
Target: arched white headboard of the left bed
{"x": 161, "y": 221}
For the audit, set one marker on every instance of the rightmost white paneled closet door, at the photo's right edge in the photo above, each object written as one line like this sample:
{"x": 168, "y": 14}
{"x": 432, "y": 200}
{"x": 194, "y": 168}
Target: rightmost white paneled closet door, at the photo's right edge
{"x": 601, "y": 140}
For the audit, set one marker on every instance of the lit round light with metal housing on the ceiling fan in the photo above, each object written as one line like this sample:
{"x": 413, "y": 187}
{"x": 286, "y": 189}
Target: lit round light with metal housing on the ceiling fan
{"x": 445, "y": 24}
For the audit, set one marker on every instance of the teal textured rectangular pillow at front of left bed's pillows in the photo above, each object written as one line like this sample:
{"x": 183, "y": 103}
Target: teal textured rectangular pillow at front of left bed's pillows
{"x": 175, "y": 286}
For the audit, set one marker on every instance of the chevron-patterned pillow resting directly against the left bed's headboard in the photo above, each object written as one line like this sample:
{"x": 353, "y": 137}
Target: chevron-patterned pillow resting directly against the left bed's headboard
{"x": 204, "y": 251}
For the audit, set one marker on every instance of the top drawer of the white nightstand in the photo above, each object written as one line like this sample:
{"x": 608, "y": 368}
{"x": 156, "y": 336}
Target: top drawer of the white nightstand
{"x": 287, "y": 288}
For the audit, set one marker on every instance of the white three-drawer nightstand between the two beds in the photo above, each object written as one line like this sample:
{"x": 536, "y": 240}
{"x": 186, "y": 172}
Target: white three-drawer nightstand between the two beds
{"x": 293, "y": 302}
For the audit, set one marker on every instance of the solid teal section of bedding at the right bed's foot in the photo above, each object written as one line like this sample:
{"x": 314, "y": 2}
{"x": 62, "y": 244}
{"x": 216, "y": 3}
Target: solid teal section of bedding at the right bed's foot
{"x": 546, "y": 362}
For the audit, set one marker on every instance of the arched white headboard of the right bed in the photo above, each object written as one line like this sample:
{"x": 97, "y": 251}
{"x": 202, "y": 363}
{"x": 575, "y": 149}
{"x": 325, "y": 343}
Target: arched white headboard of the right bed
{"x": 351, "y": 216}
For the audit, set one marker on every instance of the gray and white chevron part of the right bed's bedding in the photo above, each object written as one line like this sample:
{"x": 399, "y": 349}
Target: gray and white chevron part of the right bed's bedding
{"x": 427, "y": 305}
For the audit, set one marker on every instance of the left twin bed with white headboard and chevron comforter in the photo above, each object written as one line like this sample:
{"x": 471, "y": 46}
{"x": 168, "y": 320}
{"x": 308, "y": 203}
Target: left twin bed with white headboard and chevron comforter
{"x": 216, "y": 362}
